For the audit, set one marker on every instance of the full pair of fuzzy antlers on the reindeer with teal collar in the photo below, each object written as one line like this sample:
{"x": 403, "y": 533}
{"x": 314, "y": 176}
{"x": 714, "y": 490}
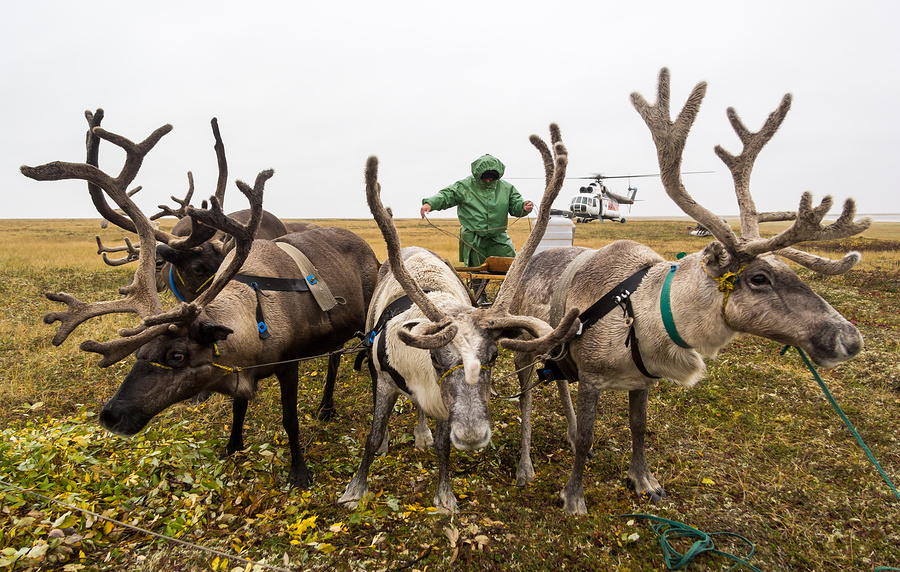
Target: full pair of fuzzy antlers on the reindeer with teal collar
{"x": 669, "y": 138}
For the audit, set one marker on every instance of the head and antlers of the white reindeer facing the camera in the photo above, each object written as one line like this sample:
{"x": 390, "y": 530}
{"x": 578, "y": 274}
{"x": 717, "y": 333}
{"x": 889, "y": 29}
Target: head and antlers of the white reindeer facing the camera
{"x": 462, "y": 340}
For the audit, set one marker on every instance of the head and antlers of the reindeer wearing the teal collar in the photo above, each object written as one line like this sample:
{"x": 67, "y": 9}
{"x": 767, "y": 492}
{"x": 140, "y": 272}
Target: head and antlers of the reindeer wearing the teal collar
{"x": 759, "y": 293}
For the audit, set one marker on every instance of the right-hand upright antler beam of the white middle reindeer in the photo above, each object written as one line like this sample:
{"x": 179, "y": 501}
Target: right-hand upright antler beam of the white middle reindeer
{"x": 555, "y": 174}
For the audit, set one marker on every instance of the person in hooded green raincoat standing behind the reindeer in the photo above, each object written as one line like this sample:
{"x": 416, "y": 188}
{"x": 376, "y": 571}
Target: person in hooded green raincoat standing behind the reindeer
{"x": 483, "y": 202}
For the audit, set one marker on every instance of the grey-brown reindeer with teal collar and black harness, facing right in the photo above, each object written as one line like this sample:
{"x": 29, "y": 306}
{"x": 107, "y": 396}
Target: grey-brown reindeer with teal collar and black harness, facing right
{"x": 677, "y": 313}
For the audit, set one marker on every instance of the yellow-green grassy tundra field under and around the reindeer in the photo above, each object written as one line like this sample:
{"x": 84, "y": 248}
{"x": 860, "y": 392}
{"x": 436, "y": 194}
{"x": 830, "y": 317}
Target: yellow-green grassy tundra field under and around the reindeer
{"x": 754, "y": 449}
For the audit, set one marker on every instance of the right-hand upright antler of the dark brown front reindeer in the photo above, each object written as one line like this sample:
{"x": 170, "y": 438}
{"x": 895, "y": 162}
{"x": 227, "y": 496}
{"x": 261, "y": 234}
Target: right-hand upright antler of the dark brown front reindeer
{"x": 243, "y": 233}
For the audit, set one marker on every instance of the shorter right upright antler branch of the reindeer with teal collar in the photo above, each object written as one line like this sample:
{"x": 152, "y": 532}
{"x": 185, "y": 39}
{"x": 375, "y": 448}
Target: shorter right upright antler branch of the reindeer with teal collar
{"x": 741, "y": 166}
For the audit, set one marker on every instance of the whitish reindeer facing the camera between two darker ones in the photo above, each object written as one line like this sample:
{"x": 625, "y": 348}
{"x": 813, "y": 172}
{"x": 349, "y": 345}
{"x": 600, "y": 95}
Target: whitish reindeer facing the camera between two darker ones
{"x": 438, "y": 349}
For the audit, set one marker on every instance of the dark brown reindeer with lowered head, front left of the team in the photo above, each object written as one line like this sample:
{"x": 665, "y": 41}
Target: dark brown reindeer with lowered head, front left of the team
{"x": 214, "y": 343}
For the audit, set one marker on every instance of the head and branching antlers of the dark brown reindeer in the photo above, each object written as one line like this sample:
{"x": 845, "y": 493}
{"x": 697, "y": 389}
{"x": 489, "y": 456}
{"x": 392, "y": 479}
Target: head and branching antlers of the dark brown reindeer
{"x": 182, "y": 344}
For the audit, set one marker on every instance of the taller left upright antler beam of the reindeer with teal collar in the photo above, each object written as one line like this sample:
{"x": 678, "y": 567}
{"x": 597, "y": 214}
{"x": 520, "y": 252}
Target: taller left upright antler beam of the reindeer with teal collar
{"x": 669, "y": 138}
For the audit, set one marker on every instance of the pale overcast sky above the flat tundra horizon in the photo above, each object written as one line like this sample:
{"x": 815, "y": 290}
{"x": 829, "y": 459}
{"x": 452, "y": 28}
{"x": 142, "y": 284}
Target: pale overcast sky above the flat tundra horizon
{"x": 312, "y": 89}
